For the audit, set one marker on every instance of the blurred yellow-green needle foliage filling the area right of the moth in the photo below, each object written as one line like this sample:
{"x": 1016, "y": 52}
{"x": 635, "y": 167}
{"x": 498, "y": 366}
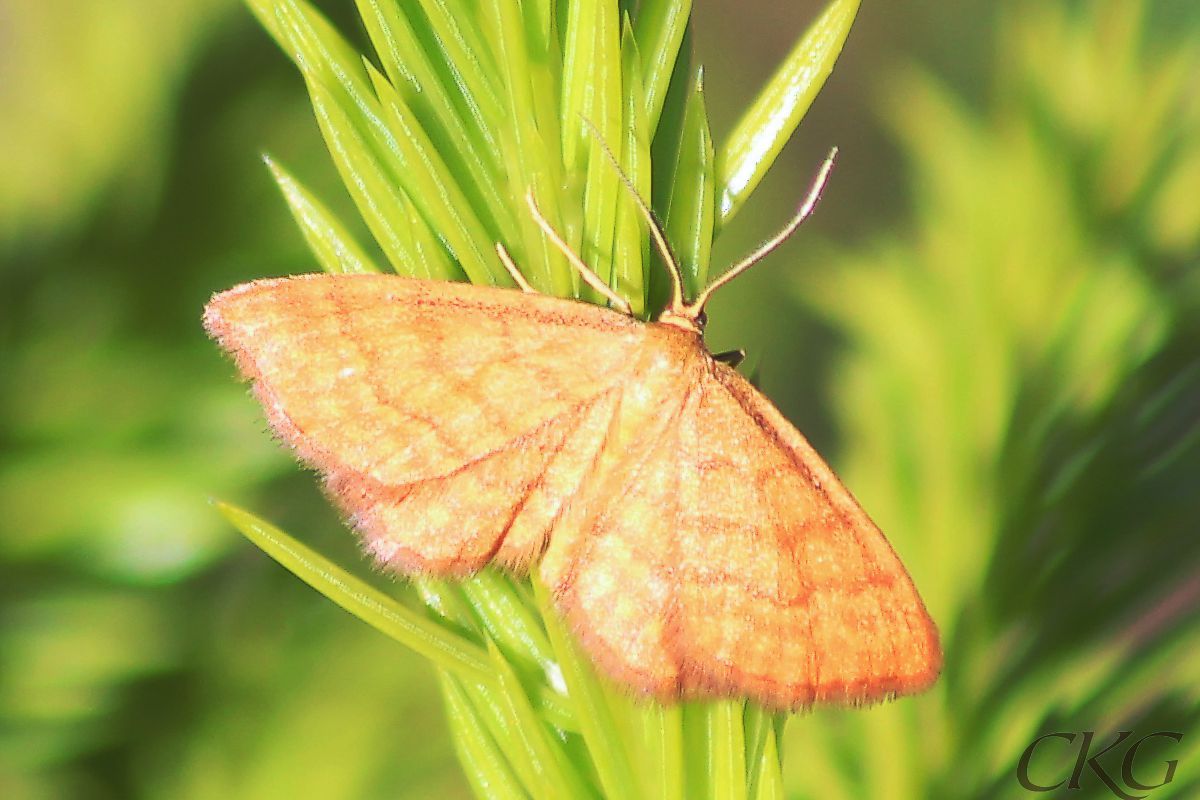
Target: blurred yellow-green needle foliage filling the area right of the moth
{"x": 1021, "y": 407}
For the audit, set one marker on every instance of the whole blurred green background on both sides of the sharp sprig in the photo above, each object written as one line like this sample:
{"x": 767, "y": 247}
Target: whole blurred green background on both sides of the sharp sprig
{"x": 992, "y": 329}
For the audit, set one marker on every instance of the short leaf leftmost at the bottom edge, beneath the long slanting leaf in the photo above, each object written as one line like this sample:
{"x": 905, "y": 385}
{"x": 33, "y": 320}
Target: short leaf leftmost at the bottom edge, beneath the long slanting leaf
{"x": 484, "y": 762}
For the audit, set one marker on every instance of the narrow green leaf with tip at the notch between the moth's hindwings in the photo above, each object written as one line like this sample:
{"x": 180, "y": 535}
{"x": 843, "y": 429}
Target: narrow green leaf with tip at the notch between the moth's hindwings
{"x": 587, "y": 694}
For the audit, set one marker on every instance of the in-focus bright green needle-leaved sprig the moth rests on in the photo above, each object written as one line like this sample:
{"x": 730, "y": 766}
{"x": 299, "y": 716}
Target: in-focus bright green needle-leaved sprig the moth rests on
{"x": 464, "y": 107}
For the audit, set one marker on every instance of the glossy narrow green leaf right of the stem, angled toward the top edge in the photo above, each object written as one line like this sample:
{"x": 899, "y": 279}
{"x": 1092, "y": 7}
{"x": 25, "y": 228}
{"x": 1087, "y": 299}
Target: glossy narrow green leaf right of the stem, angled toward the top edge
{"x": 766, "y": 127}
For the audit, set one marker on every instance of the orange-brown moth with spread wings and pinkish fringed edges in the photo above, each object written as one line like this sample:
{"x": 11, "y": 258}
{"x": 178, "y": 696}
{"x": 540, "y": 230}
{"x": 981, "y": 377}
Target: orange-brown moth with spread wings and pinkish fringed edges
{"x": 691, "y": 536}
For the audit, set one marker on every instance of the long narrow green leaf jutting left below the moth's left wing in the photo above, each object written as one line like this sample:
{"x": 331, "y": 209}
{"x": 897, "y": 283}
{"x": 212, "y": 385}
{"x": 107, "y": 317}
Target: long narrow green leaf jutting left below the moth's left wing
{"x": 377, "y": 610}
